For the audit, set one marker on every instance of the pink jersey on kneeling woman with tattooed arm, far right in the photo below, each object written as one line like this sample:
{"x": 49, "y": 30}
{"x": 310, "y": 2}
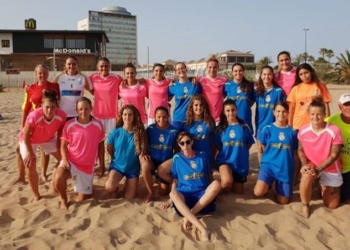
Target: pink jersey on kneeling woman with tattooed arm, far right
{"x": 317, "y": 145}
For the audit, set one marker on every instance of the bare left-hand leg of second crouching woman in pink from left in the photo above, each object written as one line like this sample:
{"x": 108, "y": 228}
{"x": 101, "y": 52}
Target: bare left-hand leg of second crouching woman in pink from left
{"x": 60, "y": 183}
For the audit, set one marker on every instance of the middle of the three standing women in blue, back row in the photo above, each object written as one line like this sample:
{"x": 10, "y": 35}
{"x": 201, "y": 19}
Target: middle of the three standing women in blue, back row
{"x": 241, "y": 91}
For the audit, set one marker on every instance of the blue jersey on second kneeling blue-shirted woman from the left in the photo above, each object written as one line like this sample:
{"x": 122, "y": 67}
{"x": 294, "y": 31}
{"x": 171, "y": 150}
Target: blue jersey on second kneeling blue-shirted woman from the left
{"x": 161, "y": 143}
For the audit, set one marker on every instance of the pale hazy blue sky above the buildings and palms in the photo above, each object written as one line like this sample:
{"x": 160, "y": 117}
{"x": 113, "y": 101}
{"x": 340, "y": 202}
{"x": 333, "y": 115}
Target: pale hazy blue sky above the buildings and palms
{"x": 184, "y": 30}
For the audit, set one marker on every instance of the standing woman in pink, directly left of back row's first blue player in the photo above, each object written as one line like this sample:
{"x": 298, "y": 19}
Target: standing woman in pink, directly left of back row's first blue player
{"x": 157, "y": 91}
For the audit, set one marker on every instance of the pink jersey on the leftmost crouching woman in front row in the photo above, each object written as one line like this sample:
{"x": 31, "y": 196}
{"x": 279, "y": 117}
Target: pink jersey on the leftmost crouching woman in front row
{"x": 43, "y": 130}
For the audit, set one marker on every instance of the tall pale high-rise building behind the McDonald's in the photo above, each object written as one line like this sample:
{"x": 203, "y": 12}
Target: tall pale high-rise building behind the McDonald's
{"x": 121, "y": 29}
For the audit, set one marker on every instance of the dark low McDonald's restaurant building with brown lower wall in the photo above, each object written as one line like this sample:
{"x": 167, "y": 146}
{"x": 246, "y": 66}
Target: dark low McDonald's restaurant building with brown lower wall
{"x": 22, "y": 50}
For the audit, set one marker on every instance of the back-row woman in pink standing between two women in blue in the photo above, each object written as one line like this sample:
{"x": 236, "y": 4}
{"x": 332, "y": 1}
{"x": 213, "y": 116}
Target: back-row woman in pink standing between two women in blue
{"x": 213, "y": 87}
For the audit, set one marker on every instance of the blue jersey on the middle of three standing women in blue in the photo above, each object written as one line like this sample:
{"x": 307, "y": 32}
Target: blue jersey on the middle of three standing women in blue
{"x": 242, "y": 99}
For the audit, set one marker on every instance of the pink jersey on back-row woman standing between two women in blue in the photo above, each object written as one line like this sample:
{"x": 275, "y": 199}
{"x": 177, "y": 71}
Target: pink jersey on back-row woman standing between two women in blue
{"x": 213, "y": 90}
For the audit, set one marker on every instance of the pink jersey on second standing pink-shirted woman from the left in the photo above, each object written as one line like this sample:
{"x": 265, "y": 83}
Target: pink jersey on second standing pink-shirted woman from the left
{"x": 135, "y": 95}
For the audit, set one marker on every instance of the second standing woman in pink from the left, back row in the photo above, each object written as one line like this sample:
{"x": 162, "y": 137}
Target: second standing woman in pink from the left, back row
{"x": 133, "y": 92}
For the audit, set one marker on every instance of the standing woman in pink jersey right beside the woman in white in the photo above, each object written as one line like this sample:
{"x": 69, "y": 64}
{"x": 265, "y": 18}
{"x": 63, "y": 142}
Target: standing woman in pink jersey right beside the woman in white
{"x": 106, "y": 91}
